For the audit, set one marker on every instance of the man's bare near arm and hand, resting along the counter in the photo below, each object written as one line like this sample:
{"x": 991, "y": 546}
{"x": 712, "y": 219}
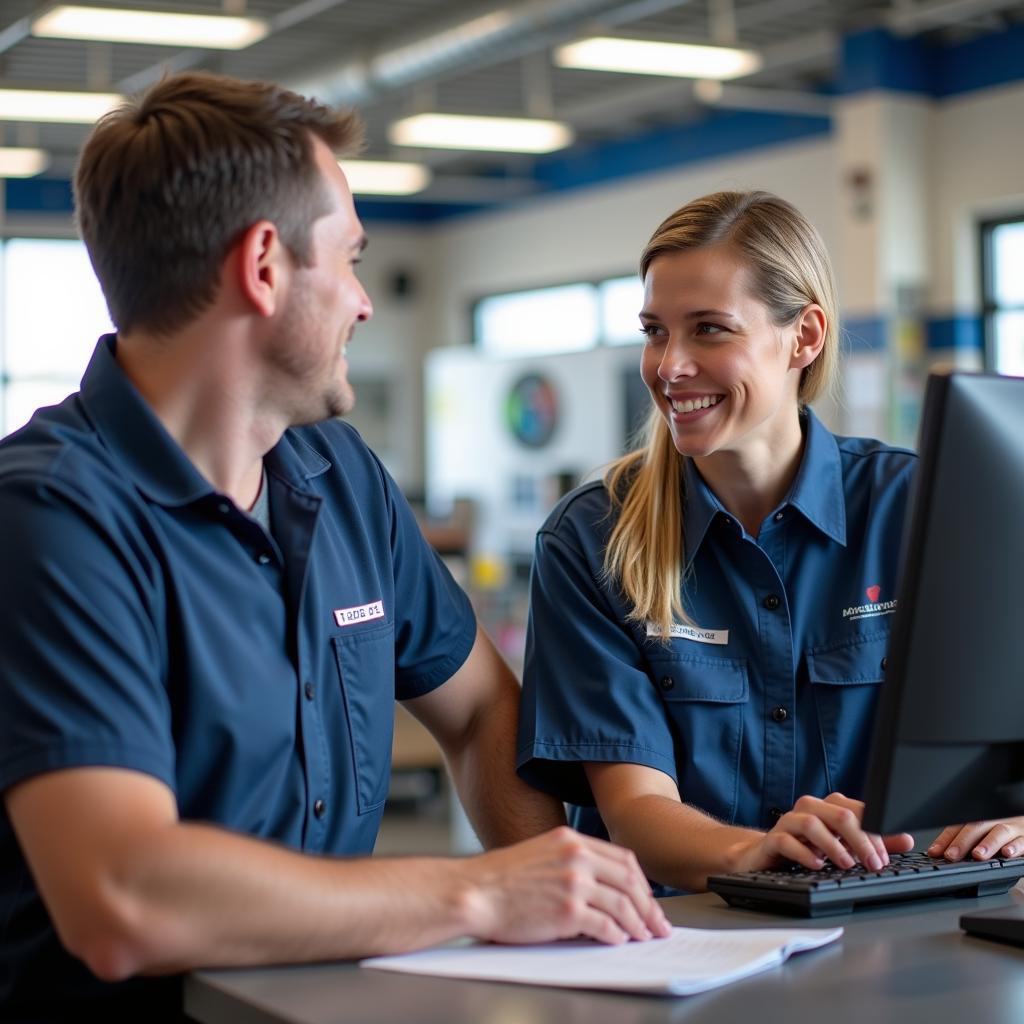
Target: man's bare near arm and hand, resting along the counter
{"x": 134, "y": 890}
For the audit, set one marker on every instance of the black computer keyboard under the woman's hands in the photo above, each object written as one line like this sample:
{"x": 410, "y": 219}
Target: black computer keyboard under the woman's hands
{"x": 806, "y": 893}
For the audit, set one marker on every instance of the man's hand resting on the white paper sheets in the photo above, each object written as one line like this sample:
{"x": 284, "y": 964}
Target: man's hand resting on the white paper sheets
{"x": 559, "y": 886}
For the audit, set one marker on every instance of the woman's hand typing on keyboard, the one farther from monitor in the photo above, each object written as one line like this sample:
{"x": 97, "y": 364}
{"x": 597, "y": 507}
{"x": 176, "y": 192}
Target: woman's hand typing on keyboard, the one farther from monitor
{"x": 819, "y": 830}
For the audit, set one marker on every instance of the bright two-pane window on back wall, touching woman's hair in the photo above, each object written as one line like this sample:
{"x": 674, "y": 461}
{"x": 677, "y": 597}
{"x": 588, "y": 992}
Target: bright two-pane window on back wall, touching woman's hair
{"x": 562, "y": 319}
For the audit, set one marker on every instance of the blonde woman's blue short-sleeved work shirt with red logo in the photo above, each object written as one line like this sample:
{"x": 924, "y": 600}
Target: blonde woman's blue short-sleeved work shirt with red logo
{"x": 773, "y": 696}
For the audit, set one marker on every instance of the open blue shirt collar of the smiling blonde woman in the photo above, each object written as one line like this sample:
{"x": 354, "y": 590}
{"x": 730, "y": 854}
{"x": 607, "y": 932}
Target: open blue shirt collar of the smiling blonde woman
{"x": 817, "y": 492}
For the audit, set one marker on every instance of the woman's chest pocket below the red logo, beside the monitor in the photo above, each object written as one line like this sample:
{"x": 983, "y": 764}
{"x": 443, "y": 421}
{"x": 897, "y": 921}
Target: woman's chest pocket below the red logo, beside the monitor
{"x": 845, "y": 684}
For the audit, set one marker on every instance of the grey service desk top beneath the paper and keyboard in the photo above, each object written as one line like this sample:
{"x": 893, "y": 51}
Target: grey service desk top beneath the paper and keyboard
{"x": 906, "y": 965}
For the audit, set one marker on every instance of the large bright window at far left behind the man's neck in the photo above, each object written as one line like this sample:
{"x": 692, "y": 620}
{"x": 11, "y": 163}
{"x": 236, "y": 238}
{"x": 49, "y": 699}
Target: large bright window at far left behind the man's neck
{"x": 54, "y": 312}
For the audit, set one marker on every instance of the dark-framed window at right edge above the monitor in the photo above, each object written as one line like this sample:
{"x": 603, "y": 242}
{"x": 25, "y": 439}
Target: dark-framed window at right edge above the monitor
{"x": 1003, "y": 300}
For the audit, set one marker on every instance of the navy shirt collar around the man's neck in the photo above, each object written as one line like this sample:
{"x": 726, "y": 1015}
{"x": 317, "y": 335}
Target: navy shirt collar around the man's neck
{"x": 155, "y": 461}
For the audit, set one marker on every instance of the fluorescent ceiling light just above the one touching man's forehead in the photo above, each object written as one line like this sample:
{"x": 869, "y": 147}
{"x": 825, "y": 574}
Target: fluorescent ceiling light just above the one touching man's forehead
{"x": 457, "y": 132}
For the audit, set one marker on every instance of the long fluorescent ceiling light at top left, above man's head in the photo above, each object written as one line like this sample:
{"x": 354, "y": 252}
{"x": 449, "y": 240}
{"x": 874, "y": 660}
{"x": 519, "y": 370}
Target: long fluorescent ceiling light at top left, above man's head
{"x": 211, "y": 32}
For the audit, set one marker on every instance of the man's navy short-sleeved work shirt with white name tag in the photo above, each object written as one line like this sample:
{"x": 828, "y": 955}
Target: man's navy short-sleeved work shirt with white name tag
{"x": 150, "y": 624}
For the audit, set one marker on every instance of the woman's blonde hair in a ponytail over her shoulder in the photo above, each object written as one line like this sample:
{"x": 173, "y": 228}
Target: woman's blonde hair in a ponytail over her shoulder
{"x": 790, "y": 269}
